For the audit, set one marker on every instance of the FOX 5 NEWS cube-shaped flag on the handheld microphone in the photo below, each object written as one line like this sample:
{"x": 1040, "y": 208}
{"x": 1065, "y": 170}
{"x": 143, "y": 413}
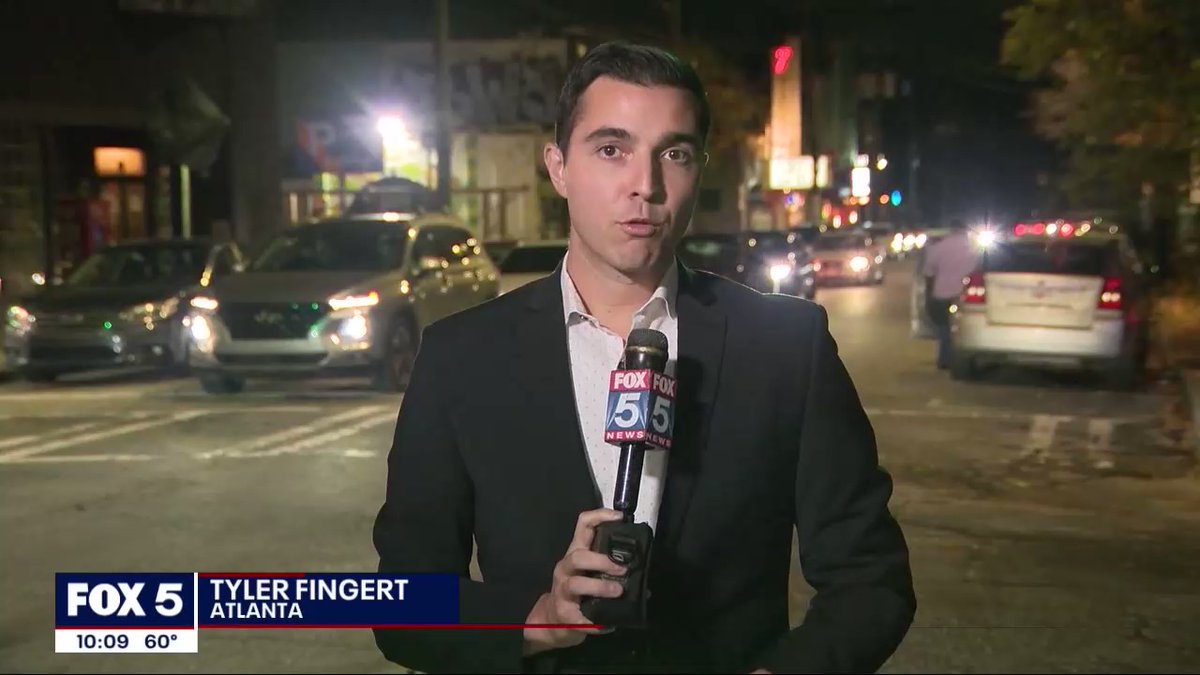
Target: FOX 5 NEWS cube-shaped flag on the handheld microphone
{"x": 641, "y": 408}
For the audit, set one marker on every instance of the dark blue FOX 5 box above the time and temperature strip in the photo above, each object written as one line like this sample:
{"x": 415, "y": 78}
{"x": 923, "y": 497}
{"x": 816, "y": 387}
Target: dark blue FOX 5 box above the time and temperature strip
{"x": 124, "y": 601}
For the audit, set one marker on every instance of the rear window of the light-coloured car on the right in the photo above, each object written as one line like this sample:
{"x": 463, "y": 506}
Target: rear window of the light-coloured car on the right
{"x": 1053, "y": 258}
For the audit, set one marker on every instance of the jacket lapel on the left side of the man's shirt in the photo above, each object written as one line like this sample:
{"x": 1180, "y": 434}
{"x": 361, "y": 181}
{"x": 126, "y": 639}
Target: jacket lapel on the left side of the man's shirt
{"x": 544, "y": 368}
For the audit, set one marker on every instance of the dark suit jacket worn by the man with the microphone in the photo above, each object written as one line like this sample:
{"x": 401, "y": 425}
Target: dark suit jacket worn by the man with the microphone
{"x": 770, "y": 438}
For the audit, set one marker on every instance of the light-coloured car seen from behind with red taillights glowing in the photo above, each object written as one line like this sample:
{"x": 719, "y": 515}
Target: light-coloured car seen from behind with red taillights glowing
{"x": 1058, "y": 298}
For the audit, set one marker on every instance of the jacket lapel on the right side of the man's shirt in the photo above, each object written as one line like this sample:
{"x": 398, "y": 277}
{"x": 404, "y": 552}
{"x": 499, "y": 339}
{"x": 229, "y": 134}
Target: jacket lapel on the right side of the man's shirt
{"x": 699, "y": 369}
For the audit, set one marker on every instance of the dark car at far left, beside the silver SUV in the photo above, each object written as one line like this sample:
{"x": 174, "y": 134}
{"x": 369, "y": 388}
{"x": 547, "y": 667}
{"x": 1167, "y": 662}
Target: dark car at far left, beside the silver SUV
{"x": 123, "y": 306}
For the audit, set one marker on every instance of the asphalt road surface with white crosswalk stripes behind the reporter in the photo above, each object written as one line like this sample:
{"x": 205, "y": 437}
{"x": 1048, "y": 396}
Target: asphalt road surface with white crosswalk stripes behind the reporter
{"x": 1054, "y": 527}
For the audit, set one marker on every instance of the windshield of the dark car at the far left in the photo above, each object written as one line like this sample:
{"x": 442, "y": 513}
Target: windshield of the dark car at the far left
{"x": 142, "y": 266}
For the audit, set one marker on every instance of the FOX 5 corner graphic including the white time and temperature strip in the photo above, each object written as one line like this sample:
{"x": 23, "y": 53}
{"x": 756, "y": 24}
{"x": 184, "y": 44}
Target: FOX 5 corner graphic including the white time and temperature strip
{"x": 125, "y": 613}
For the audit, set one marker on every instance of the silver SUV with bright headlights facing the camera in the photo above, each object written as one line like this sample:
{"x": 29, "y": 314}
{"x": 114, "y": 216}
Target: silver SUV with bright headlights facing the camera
{"x": 343, "y": 297}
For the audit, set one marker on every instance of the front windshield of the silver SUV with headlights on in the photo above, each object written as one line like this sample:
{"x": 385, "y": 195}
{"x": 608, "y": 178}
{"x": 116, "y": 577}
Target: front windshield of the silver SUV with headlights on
{"x": 337, "y": 247}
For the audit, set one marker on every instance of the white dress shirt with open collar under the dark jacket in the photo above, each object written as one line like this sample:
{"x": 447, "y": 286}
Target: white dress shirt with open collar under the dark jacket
{"x": 596, "y": 353}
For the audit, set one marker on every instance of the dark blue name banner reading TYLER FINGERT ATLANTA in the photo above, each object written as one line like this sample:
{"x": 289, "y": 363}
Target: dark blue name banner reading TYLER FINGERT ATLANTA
{"x": 327, "y": 601}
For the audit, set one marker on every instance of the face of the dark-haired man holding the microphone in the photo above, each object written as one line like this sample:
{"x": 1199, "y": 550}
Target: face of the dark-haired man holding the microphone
{"x": 631, "y": 175}
